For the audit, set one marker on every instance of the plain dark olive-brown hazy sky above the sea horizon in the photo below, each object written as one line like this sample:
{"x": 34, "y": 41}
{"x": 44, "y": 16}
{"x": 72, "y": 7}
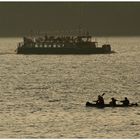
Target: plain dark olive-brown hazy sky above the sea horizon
{"x": 100, "y": 18}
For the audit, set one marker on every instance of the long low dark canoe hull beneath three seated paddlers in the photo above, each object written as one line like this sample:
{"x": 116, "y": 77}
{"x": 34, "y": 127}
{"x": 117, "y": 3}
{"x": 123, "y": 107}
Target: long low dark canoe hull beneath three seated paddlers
{"x": 88, "y": 104}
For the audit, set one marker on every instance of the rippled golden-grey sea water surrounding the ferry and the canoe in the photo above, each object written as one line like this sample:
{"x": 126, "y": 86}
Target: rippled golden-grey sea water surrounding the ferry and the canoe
{"x": 44, "y": 96}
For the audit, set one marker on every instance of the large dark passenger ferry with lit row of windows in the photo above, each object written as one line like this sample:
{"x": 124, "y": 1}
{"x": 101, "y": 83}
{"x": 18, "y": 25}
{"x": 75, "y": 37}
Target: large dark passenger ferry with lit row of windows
{"x": 81, "y": 44}
